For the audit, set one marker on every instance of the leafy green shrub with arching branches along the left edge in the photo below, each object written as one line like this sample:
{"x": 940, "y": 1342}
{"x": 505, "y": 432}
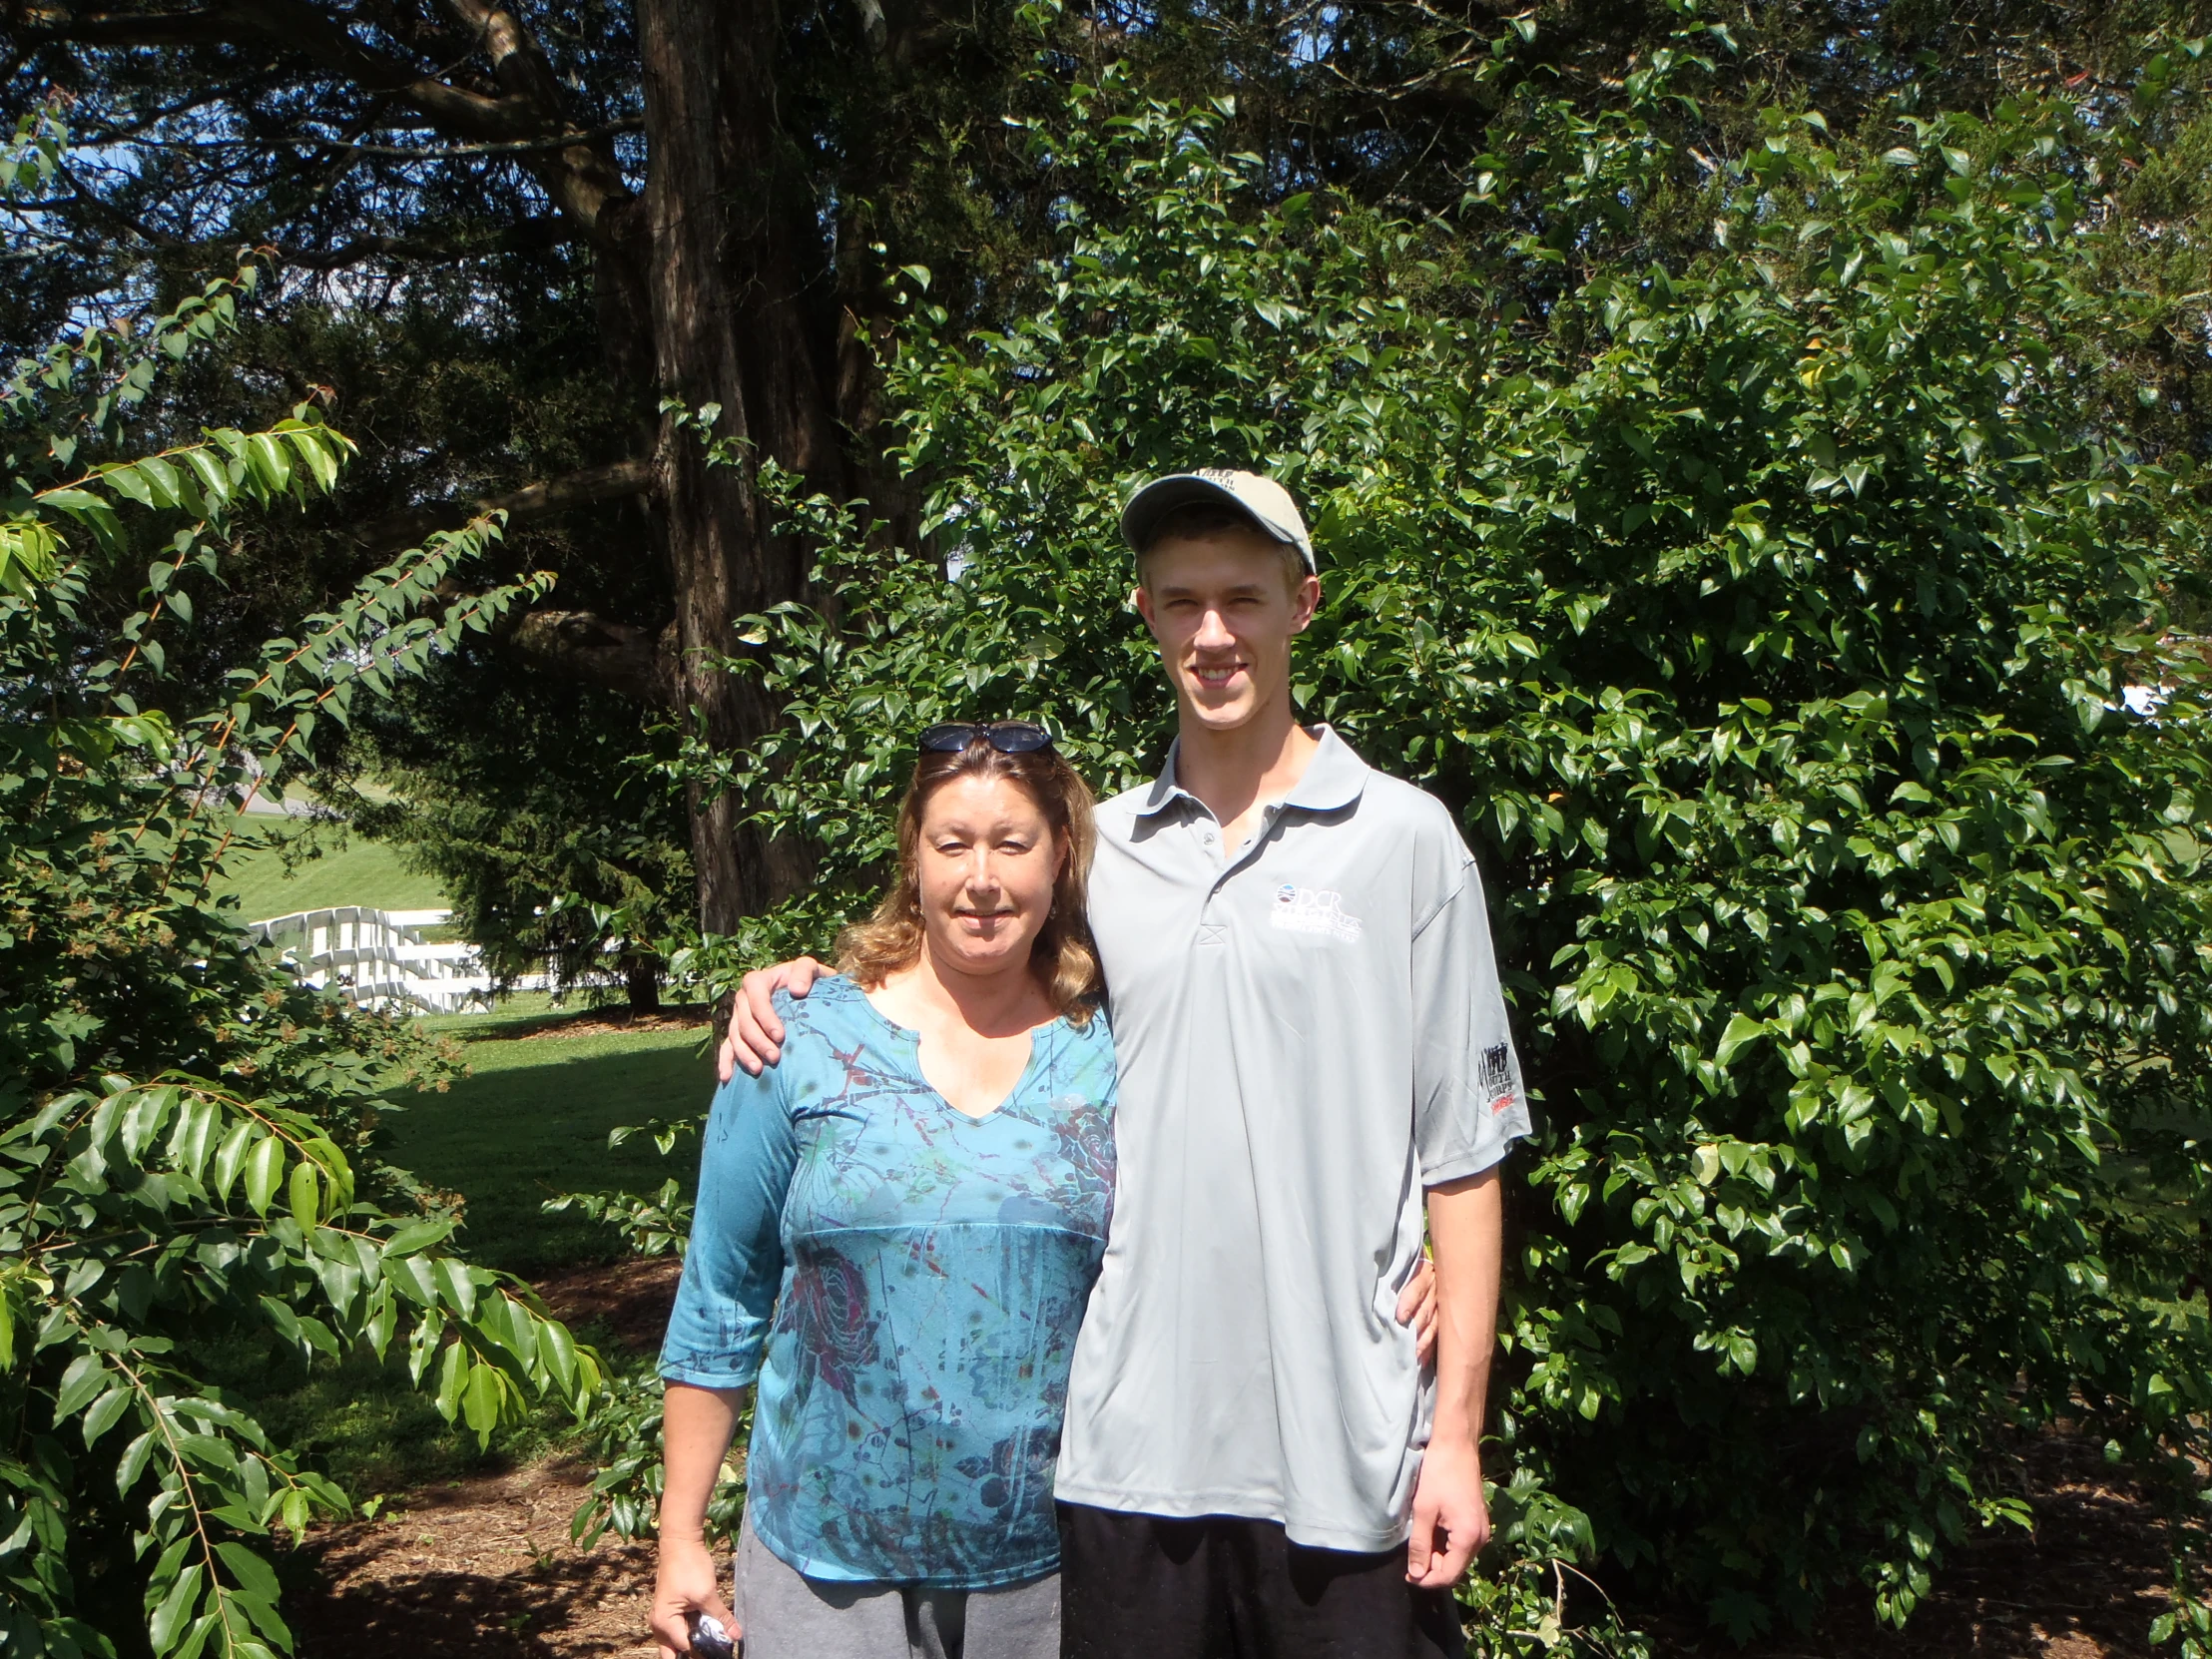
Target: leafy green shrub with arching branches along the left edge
{"x": 185, "y": 1129}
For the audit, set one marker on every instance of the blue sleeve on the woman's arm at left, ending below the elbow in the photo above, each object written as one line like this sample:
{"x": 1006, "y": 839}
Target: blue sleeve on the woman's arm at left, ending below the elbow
{"x": 733, "y": 1266}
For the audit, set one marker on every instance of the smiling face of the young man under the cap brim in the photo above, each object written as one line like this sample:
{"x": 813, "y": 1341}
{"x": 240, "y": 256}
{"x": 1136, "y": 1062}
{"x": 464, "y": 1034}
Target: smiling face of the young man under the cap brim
{"x": 1224, "y": 614}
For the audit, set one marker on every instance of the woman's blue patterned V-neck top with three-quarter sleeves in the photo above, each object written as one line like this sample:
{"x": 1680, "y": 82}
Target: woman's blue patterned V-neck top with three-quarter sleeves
{"x": 906, "y": 1284}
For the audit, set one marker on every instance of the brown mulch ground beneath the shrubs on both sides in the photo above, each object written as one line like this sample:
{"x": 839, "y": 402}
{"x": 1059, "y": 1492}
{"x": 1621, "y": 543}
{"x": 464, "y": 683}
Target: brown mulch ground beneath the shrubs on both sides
{"x": 486, "y": 1569}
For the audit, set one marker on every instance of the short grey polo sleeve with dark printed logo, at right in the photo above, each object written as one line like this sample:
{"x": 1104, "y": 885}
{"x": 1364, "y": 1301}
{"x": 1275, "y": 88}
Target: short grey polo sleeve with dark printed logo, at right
{"x": 1468, "y": 1087}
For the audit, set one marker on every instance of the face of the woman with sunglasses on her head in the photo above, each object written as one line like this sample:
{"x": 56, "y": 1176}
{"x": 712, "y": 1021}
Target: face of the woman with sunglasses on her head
{"x": 988, "y": 864}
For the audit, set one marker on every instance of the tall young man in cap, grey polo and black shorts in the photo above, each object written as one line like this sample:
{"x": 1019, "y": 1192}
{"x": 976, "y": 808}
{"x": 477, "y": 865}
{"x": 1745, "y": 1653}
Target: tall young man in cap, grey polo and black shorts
{"x": 1315, "y": 1056}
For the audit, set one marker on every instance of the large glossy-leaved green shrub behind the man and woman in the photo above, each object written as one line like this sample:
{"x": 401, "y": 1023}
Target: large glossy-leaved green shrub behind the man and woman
{"x": 1771, "y": 614}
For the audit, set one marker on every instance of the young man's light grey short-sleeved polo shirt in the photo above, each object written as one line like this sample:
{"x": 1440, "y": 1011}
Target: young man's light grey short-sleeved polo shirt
{"x": 1308, "y": 1034}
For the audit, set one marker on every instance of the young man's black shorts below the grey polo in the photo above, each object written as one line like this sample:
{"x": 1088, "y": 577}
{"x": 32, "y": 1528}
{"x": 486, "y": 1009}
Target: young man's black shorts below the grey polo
{"x": 1222, "y": 1587}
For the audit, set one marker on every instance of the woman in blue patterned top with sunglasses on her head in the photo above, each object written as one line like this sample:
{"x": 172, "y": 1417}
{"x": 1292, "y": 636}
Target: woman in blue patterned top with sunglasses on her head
{"x": 897, "y": 1233}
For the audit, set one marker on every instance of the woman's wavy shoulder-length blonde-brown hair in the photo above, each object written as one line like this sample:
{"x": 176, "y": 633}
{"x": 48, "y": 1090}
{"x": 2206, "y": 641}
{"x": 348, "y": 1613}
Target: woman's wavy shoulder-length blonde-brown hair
{"x": 1061, "y": 957}
